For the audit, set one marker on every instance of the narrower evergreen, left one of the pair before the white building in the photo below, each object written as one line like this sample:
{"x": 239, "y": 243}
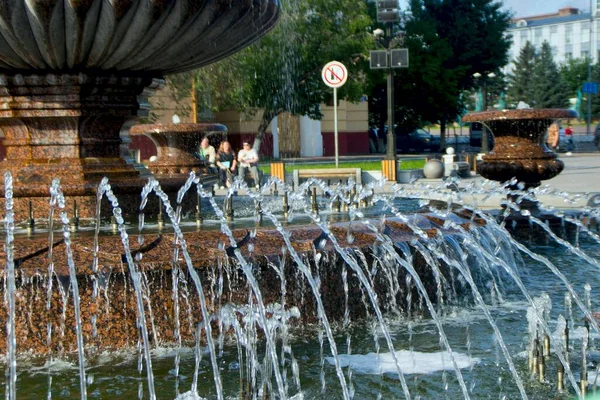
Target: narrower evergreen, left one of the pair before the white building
{"x": 520, "y": 80}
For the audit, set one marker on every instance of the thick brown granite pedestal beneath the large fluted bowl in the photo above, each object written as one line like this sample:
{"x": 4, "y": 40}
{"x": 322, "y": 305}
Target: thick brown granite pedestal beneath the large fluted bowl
{"x": 72, "y": 127}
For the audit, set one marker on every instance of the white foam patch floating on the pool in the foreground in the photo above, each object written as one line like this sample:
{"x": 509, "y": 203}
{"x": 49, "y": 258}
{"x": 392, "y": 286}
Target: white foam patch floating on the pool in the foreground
{"x": 410, "y": 362}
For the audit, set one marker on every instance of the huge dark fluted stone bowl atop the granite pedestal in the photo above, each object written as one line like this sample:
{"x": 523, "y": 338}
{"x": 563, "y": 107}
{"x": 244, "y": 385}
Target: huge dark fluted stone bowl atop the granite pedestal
{"x": 158, "y": 37}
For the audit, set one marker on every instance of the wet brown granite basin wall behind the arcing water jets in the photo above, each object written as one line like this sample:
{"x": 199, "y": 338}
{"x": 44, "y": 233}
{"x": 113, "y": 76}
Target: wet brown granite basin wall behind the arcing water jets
{"x": 114, "y": 308}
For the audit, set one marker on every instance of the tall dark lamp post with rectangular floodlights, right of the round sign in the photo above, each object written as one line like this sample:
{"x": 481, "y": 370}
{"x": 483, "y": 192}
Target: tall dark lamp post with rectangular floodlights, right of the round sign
{"x": 388, "y": 12}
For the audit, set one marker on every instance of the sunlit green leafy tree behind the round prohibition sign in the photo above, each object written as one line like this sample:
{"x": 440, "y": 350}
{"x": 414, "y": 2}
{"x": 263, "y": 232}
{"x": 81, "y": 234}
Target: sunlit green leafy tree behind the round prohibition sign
{"x": 283, "y": 69}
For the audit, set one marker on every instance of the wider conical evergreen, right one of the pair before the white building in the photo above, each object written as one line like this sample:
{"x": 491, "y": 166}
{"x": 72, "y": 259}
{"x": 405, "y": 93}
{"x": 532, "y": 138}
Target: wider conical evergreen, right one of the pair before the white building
{"x": 548, "y": 87}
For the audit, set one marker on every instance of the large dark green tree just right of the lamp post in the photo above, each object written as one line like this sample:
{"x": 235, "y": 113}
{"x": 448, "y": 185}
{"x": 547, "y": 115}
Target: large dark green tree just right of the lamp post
{"x": 449, "y": 41}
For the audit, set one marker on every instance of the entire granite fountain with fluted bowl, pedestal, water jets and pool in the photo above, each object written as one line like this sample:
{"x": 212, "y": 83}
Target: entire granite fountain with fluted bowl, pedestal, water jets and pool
{"x": 401, "y": 299}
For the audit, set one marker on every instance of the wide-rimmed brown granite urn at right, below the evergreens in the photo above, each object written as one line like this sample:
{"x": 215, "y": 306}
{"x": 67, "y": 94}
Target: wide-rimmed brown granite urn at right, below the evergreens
{"x": 520, "y": 150}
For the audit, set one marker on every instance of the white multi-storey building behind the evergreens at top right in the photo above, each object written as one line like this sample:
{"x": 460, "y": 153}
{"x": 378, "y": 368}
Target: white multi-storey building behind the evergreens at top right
{"x": 567, "y": 32}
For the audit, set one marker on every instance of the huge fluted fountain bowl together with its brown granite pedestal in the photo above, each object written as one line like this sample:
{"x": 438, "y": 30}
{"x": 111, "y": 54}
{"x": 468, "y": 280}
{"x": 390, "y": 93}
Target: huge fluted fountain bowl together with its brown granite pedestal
{"x": 77, "y": 75}
